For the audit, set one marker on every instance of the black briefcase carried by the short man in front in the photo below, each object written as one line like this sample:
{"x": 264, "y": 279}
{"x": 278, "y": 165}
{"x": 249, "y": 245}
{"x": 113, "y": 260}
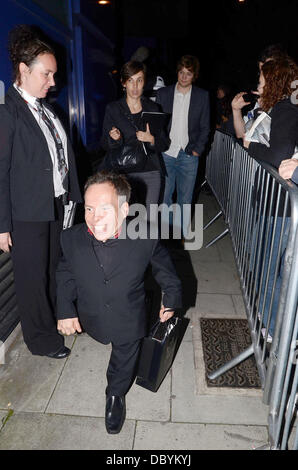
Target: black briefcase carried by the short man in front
{"x": 158, "y": 352}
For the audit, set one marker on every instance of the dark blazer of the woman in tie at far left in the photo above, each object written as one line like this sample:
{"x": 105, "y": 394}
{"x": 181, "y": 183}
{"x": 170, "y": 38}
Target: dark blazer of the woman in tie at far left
{"x": 26, "y": 169}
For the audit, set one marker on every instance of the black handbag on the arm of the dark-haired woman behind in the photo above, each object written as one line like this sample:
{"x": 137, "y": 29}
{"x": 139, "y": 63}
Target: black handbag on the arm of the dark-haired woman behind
{"x": 131, "y": 155}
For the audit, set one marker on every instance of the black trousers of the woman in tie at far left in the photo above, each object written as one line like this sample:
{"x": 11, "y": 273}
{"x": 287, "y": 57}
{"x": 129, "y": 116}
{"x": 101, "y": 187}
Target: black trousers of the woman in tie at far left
{"x": 35, "y": 254}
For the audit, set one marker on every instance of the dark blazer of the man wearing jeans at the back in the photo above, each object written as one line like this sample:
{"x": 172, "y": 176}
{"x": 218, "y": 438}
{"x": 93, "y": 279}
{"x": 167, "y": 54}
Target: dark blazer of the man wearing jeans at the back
{"x": 198, "y": 115}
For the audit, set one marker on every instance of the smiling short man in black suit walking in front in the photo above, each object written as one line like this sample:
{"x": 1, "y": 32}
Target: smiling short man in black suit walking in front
{"x": 100, "y": 284}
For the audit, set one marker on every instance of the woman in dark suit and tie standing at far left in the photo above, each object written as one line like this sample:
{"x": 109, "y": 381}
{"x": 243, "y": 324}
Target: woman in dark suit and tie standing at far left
{"x": 37, "y": 179}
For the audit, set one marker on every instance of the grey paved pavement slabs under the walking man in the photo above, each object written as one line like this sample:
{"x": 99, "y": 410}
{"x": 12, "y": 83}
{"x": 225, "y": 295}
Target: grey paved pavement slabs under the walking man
{"x": 48, "y": 404}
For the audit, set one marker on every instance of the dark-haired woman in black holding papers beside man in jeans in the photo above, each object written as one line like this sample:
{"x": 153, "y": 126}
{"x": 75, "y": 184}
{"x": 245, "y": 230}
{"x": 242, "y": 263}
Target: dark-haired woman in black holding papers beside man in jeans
{"x": 123, "y": 124}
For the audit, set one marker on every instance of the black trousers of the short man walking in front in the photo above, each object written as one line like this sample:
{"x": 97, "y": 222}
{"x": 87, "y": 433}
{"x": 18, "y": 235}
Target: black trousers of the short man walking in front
{"x": 122, "y": 367}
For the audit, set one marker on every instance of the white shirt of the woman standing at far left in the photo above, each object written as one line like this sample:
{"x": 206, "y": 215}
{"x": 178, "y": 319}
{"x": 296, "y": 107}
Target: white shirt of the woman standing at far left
{"x": 31, "y": 101}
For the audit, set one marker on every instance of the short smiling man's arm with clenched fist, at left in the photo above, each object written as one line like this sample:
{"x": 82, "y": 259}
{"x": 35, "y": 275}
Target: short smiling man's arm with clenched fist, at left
{"x": 67, "y": 316}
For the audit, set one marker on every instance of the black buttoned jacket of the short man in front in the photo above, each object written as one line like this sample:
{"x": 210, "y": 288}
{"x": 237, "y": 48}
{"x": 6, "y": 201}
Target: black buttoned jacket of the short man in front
{"x": 109, "y": 296}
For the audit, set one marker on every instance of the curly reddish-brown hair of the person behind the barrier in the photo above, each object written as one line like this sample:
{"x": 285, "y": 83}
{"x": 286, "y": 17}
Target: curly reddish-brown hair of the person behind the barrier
{"x": 279, "y": 74}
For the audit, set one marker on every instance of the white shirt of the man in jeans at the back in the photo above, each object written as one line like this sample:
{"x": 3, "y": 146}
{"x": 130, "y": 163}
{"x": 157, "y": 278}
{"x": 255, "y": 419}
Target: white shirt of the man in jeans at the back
{"x": 179, "y": 129}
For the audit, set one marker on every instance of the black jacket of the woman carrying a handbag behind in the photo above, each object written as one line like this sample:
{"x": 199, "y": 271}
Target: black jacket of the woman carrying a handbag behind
{"x": 115, "y": 115}
